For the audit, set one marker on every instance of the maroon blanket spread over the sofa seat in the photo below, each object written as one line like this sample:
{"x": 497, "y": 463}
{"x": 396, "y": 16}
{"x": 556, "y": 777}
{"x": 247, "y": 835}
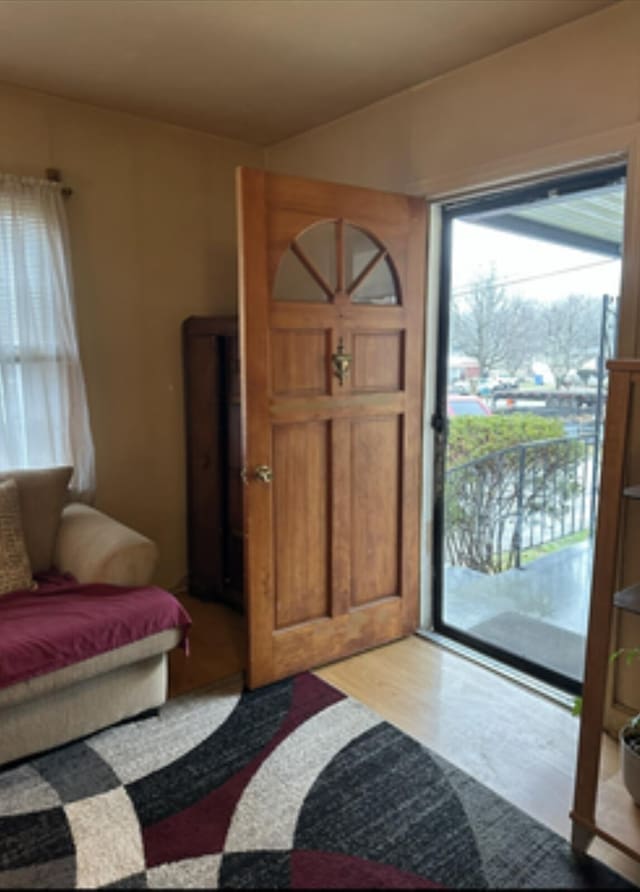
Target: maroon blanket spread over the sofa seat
{"x": 64, "y": 621}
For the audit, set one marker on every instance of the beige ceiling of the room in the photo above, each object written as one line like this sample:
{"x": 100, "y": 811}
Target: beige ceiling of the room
{"x": 256, "y": 70}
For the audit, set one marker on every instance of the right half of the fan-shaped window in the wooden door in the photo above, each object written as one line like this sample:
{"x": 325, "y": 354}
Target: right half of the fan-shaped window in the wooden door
{"x": 377, "y": 285}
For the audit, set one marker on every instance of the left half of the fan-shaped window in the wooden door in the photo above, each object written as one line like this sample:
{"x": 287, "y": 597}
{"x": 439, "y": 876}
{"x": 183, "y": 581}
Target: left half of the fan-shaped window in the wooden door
{"x": 307, "y": 271}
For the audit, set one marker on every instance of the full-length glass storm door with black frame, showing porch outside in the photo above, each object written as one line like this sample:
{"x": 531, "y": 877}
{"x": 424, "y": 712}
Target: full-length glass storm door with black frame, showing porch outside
{"x": 530, "y": 280}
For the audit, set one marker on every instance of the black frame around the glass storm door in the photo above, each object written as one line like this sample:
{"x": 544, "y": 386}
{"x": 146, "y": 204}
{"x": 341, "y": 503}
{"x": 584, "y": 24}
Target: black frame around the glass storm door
{"x": 449, "y": 209}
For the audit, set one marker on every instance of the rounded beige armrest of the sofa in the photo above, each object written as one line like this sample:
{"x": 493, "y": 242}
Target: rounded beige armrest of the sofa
{"x": 96, "y": 548}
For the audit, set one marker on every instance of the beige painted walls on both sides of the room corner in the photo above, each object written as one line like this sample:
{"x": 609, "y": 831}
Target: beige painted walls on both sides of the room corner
{"x": 153, "y": 229}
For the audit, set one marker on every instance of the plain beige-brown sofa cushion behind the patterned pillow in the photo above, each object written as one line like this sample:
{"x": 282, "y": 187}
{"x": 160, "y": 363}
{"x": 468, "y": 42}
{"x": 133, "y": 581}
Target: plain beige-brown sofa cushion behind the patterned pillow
{"x": 43, "y": 494}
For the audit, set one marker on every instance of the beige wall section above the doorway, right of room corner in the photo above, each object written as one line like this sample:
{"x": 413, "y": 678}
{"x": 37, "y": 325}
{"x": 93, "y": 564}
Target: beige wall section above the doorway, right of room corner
{"x": 573, "y": 82}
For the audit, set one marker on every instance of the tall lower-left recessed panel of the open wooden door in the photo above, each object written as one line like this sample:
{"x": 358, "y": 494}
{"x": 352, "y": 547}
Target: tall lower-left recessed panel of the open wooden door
{"x": 301, "y": 536}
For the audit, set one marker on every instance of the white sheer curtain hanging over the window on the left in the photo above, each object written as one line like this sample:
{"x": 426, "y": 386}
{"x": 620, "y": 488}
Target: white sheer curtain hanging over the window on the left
{"x": 44, "y": 419}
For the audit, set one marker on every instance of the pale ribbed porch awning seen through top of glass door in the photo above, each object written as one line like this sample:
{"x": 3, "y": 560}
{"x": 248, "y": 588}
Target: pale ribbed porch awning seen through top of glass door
{"x": 591, "y": 220}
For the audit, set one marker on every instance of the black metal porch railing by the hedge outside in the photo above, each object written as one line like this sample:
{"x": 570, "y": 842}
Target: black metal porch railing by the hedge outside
{"x": 518, "y": 498}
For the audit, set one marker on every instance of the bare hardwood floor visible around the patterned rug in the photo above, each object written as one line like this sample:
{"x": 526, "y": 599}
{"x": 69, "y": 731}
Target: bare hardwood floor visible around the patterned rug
{"x": 518, "y": 743}
